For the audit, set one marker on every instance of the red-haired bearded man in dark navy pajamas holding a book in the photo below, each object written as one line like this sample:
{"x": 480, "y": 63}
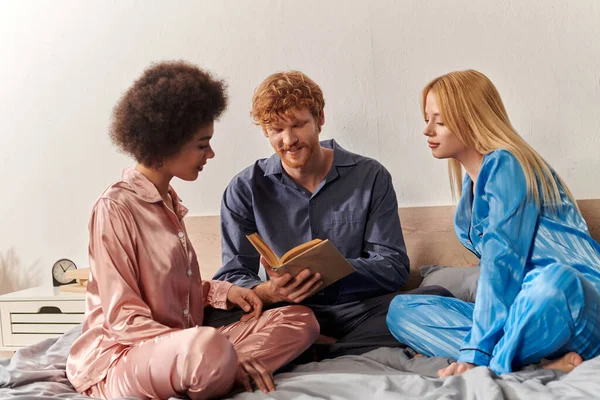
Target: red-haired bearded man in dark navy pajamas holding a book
{"x": 310, "y": 189}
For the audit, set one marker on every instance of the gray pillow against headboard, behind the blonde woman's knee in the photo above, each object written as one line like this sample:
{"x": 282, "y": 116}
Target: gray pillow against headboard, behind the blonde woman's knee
{"x": 460, "y": 281}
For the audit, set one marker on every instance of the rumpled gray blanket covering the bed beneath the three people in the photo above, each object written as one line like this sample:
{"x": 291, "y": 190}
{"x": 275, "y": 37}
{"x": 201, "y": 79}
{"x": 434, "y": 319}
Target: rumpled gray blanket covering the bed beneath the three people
{"x": 38, "y": 372}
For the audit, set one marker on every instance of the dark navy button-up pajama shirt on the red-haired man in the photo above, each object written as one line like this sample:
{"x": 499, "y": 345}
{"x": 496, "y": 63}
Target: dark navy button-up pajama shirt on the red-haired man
{"x": 355, "y": 207}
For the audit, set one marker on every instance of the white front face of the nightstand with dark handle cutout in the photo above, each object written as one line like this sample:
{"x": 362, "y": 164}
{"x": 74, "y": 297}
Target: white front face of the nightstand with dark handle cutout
{"x": 28, "y": 322}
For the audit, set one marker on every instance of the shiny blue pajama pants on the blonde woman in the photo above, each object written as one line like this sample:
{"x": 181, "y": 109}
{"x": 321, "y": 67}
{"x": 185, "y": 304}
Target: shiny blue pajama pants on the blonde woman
{"x": 556, "y": 311}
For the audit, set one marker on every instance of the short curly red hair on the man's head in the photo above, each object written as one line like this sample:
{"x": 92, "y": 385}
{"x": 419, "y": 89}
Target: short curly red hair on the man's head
{"x": 282, "y": 94}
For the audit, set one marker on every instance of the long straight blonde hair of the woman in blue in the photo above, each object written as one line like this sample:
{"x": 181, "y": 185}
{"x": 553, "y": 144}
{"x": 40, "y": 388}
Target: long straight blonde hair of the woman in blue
{"x": 473, "y": 110}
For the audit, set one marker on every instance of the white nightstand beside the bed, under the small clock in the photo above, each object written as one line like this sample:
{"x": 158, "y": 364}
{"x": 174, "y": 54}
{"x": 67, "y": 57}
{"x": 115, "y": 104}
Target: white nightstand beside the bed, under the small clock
{"x": 32, "y": 315}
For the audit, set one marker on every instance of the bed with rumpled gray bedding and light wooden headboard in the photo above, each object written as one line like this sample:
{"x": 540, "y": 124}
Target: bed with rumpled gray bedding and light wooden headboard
{"x": 38, "y": 371}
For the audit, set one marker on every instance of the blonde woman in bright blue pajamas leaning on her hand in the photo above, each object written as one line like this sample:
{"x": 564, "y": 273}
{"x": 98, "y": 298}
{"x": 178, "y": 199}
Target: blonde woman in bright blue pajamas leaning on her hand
{"x": 539, "y": 289}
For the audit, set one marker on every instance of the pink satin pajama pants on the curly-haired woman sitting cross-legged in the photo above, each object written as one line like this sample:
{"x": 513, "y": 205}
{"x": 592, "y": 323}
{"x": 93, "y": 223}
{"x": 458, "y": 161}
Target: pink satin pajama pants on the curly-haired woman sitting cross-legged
{"x": 201, "y": 362}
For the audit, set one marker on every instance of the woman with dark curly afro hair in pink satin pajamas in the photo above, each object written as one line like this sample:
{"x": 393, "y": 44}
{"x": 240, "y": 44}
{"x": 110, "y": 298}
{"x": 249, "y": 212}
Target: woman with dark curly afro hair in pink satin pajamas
{"x": 143, "y": 335}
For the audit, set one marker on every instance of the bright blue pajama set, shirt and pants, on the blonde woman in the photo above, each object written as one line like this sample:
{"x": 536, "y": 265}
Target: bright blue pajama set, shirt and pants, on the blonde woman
{"x": 538, "y": 294}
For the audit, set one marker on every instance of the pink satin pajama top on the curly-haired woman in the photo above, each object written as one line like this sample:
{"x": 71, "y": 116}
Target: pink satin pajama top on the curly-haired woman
{"x": 145, "y": 279}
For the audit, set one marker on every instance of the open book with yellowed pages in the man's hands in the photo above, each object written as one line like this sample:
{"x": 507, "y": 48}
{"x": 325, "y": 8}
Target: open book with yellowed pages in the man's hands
{"x": 317, "y": 255}
